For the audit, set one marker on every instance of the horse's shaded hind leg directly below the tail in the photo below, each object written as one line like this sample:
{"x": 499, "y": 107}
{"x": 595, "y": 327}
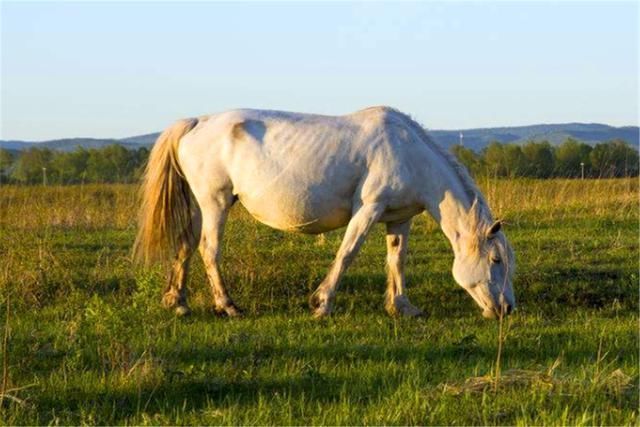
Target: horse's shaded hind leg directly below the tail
{"x": 175, "y": 293}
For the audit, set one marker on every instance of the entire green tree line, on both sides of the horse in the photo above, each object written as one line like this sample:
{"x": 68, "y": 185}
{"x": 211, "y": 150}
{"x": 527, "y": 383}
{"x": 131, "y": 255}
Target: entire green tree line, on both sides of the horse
{"x": 115, "y": 163}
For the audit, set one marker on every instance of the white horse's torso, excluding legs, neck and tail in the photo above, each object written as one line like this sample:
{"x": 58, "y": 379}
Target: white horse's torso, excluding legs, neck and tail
{"x": 297, "y": 171}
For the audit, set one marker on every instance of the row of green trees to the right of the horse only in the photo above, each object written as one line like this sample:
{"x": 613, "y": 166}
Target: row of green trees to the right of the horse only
{"x": 570, "y": 159}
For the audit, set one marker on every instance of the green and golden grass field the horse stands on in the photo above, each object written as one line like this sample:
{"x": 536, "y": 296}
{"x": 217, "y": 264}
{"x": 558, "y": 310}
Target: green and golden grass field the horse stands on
{"x": 87, "y": 341}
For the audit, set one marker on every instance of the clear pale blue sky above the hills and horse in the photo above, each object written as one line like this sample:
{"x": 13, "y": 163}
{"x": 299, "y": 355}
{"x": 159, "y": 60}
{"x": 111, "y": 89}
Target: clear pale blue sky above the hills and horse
{"x": 120, "y": 68}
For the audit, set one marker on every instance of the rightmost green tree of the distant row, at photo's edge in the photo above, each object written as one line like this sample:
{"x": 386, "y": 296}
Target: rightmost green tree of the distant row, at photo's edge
{"x": 614, "y": 159}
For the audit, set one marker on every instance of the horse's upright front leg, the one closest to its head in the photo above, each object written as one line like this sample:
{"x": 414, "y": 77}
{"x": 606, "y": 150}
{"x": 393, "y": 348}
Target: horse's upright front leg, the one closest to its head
{"x": 396, "y": 302}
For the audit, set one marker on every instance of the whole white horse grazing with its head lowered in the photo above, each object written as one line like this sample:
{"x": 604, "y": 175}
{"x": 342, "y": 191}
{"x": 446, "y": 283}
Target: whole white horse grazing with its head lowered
{"x": 312, "y": 174}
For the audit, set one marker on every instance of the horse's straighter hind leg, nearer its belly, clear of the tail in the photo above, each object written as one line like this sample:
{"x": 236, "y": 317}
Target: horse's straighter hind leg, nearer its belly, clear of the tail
{"x": 214, "y": 218}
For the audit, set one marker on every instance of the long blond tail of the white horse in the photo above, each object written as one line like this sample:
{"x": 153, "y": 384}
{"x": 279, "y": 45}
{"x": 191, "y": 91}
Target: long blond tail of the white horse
{"x": 166, "y": 205}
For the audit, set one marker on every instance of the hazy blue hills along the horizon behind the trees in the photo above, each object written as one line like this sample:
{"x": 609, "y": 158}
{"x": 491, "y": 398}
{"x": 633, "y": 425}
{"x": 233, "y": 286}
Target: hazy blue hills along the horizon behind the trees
{"x": 476, "y": 139}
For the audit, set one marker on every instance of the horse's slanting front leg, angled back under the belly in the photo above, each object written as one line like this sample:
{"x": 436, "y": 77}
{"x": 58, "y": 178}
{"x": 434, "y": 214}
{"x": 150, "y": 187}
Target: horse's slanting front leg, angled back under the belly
{"x": 321, "y": 300}
